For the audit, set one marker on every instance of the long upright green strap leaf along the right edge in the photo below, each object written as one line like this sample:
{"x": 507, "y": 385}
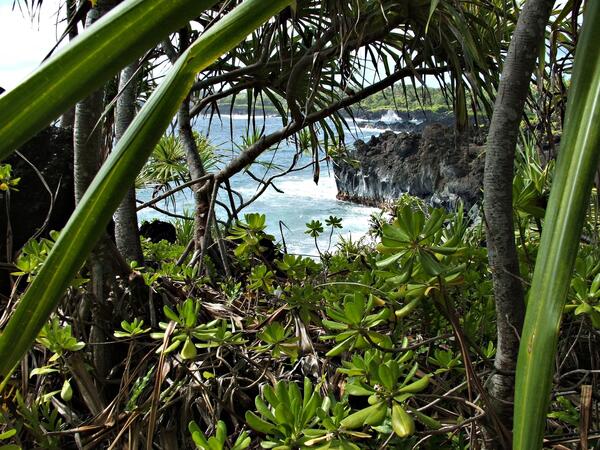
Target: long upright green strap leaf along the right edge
{"x": 577, "y": 163}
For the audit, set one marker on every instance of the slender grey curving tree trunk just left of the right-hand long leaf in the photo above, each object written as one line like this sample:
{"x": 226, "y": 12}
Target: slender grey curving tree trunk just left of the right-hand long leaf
{"x": 499, "y": 168}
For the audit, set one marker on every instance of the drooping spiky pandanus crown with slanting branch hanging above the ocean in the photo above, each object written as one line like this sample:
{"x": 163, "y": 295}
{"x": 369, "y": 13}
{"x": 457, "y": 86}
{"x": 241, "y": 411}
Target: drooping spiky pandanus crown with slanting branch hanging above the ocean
{"x": 316, "y": 60}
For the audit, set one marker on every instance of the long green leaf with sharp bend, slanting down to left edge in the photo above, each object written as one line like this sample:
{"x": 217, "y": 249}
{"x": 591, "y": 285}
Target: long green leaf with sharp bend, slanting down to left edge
{"x": 119, "y": 171}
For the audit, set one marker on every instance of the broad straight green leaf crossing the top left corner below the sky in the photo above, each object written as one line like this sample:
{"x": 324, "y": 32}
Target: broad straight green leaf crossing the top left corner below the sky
{"x": 86, "y": 63}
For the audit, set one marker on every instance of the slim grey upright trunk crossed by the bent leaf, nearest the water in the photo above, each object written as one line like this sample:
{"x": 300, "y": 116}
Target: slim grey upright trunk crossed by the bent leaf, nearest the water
{"x": 126, "y": 228}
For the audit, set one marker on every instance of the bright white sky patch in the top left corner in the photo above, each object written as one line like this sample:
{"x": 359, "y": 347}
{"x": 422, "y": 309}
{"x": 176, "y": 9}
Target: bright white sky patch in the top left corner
{"x": 25, "y": 42}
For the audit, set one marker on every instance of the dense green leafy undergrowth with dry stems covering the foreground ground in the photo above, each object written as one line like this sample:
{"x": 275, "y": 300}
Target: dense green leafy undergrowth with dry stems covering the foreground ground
{"x": 386, "y": 342}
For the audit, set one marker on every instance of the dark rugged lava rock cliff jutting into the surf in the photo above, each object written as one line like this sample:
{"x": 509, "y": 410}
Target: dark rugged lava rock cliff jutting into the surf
{"x": 428, "y": 165}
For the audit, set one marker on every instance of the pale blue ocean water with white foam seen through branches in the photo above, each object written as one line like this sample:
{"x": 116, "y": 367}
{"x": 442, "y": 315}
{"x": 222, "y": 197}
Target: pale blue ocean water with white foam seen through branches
{"x": 300, "y": 199}
